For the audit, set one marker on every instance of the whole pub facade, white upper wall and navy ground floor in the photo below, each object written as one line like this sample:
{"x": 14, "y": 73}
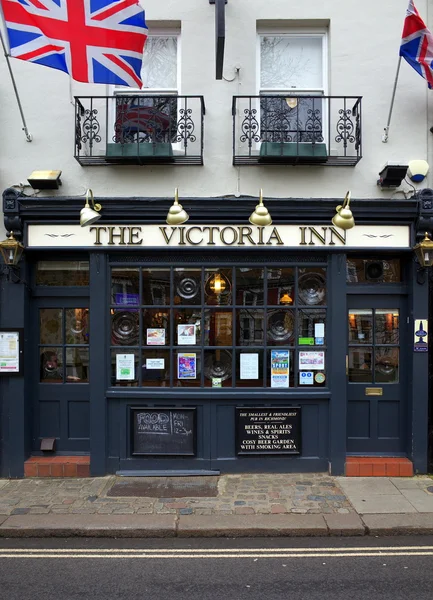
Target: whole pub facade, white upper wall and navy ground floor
{"x": 172, "y": 330}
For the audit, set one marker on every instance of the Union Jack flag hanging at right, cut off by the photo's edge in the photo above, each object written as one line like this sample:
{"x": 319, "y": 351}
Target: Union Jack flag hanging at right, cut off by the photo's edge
{"x": 417, "y": 44}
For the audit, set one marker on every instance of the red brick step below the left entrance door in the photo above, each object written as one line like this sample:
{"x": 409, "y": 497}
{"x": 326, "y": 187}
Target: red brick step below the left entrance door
{"x": 57, "y": 466}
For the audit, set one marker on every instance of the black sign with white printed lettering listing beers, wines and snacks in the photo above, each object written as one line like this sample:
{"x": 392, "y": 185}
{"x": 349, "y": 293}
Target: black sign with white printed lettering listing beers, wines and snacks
{"x": 268, "y": 430}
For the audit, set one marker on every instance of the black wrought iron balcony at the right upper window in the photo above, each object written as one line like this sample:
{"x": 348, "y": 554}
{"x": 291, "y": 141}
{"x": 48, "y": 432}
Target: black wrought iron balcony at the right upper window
{"x": 289, "y": 129}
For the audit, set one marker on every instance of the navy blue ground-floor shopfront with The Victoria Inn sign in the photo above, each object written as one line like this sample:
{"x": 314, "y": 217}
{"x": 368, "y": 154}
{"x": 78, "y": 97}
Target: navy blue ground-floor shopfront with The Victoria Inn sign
{"x": 158, "y": 349}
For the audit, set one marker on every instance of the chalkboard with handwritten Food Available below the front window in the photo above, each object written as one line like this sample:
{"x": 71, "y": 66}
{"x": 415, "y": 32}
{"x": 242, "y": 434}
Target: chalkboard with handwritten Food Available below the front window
{"x": 163, "y": 431}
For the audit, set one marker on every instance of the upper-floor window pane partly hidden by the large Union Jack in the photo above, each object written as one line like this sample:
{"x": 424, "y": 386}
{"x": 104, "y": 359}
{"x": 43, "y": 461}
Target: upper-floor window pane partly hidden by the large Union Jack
{"x": 159, "y": 68}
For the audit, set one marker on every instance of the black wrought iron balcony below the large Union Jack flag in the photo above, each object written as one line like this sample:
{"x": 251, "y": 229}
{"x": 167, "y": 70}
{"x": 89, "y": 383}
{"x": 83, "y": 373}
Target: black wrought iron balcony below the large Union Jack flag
{"x": 139, "y": 130}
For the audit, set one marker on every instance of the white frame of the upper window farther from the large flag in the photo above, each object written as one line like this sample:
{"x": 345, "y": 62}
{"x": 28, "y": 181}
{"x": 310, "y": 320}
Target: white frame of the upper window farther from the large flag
{"x": 321, "y": 33}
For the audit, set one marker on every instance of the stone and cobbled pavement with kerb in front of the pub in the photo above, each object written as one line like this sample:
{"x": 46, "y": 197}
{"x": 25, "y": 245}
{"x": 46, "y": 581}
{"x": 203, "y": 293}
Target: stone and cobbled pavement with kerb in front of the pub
{"x": 243, "y": 505}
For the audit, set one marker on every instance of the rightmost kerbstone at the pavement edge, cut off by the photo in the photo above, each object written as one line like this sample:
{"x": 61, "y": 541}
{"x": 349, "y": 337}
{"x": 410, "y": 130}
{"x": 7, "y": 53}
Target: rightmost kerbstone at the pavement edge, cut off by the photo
{"x": 415, "y": 524}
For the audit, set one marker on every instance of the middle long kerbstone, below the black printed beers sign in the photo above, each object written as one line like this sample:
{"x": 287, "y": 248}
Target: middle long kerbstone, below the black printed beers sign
{"x": 251, "y": 526}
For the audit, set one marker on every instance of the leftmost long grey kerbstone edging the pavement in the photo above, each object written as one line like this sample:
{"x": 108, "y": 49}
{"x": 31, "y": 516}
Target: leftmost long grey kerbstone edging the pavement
{"x": 89, "y": 525}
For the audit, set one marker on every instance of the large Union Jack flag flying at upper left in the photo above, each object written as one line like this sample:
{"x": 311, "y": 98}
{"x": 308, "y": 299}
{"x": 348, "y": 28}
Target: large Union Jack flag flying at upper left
{"x": 95, "y": 41}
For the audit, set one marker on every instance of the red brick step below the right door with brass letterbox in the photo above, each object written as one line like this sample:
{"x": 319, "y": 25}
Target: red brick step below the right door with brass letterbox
{"x": 373, "y": 466}
